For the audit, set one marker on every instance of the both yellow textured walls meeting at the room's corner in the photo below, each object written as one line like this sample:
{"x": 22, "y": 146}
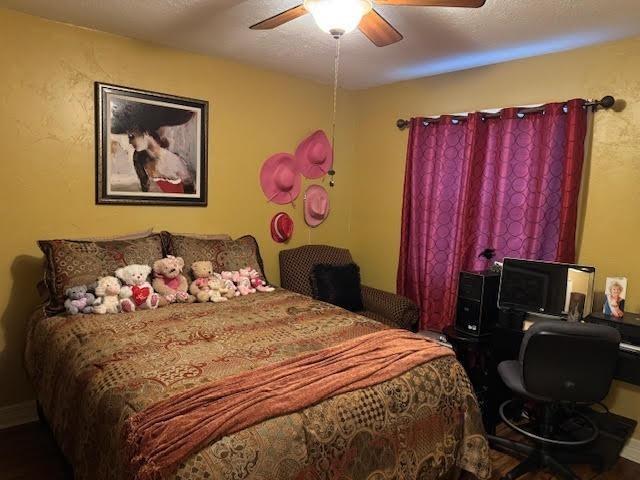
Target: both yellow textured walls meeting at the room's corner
{"x": 47, "y": 167}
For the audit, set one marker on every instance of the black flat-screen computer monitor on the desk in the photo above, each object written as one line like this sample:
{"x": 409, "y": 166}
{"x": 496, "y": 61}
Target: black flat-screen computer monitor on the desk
{"x": 546, "y": 288}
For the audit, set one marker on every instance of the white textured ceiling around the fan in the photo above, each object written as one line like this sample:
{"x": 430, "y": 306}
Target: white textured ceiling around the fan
{"x": 437, "y": 40}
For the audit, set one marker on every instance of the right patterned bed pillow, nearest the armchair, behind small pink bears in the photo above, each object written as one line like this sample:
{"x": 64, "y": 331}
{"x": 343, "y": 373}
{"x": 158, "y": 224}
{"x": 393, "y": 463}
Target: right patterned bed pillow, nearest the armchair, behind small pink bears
{"x": 223, "y": 254}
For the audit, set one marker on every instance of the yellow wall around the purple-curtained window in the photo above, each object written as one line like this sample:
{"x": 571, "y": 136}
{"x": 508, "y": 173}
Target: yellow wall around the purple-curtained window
{"x": 610, "y": 223}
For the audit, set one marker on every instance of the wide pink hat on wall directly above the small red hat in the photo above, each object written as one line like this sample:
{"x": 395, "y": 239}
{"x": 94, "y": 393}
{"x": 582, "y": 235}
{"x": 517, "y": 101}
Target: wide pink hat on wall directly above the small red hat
{"x": 280, "y": 179}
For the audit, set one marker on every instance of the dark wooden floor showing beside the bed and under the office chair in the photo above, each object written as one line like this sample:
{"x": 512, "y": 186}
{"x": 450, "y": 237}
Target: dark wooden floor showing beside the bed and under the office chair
{"x": 29, "y": 452}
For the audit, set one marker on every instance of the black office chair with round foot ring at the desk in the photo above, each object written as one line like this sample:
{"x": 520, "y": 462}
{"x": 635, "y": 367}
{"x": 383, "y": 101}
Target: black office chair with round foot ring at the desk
{"x": 561, "y": 365}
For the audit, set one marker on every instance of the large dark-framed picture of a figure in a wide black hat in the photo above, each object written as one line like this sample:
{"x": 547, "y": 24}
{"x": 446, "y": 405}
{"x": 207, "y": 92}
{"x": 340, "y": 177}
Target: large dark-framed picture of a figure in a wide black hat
{"x": 151, "y": 148}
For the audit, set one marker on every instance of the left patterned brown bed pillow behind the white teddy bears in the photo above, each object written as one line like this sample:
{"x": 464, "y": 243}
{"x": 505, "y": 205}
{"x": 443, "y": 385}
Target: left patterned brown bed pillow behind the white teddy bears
{"x": 73, "y": 262}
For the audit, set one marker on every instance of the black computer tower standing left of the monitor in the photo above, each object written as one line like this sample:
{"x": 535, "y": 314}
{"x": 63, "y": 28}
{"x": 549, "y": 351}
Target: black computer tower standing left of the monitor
{"x": 477, "y": 309}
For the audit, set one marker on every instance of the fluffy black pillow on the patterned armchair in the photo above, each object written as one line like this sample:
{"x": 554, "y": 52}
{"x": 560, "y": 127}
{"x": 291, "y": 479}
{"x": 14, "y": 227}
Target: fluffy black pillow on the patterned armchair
{"x": 338, "y": 285}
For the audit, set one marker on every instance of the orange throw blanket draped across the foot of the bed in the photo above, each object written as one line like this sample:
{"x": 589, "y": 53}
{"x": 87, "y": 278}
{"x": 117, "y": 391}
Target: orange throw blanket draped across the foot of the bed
{"x": 160, "y": 437}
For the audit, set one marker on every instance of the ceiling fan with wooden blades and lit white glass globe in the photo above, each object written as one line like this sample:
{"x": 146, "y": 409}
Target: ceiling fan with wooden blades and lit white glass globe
{"x": 338, "y": 17}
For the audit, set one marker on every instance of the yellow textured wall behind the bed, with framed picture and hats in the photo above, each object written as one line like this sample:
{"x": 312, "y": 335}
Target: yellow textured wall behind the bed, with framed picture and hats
{"x": 47, "y": 149}
